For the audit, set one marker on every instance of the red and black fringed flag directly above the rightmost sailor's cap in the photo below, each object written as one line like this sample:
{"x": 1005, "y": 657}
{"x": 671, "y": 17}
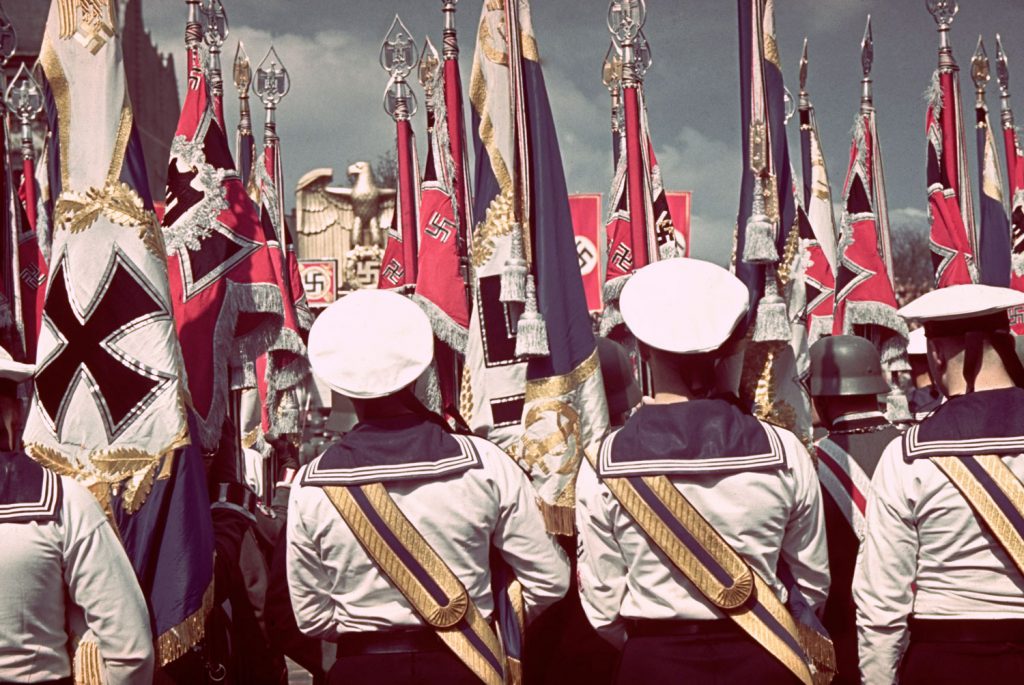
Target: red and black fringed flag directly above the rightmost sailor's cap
{"x": 950, "y": 203}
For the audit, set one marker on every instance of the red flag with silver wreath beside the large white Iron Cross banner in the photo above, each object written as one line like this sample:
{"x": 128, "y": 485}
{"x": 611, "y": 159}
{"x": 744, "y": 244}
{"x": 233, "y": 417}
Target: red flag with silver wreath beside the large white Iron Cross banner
{"x": 228, "y": 306}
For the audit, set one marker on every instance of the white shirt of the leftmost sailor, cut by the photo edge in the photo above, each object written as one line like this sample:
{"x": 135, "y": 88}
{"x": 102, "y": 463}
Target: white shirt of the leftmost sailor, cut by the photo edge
{"x": 76, "y": 560}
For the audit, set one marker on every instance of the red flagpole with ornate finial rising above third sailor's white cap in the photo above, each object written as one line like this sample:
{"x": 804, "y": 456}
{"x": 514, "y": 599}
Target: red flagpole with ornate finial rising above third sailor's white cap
{"x": 626, "y": 19}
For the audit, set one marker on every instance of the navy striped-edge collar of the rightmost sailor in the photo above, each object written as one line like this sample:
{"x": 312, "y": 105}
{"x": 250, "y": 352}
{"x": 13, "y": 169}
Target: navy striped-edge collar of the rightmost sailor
{"x": 987, "y": 422}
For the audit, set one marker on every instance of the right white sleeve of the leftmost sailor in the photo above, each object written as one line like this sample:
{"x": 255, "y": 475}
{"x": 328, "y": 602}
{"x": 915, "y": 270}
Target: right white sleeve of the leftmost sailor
{"x": 102, "y": 582}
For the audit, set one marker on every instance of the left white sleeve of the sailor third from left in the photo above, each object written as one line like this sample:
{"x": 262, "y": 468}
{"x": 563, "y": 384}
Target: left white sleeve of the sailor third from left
{"x": 603, "y": 568}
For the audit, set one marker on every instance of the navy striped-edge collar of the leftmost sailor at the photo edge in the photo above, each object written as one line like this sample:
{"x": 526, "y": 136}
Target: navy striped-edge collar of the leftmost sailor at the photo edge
{"x": 28, "y": 492}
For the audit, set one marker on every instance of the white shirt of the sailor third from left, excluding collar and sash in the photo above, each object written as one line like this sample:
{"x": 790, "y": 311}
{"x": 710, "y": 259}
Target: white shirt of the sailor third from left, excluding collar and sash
{"x": 764, "y": 516}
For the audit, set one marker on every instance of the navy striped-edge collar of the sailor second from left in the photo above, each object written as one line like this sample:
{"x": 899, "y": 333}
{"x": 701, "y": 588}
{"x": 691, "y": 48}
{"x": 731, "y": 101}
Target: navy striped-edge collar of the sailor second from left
{"x": 401, "y": 449}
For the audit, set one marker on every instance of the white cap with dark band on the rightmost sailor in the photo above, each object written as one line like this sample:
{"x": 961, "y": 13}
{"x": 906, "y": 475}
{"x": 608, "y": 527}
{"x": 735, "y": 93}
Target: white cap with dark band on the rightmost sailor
{"x": 971, "y": 307}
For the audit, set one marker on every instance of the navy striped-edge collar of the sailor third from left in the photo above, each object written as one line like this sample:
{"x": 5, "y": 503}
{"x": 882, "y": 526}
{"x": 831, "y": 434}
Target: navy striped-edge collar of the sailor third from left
{"x": 692, "y": 438}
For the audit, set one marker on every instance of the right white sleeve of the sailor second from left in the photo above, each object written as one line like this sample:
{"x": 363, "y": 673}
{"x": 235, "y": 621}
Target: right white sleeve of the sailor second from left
{"x": 535, "y": 558}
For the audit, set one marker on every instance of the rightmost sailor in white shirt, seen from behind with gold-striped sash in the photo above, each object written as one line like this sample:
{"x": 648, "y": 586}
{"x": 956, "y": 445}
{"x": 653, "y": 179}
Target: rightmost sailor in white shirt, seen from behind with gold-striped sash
{"x": 941, "y": 598}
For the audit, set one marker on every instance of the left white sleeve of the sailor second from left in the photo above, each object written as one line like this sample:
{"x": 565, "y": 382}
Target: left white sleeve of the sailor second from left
{"x": 308, "y": 579}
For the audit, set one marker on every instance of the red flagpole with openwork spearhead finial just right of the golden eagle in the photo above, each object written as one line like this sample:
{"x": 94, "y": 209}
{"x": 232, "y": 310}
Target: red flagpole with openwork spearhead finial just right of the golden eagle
{"x": 399, "y": 58}
